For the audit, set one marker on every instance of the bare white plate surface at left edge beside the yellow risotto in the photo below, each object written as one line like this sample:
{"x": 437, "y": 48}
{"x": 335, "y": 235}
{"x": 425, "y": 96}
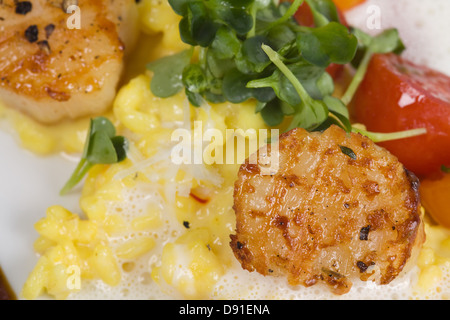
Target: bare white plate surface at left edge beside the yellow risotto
{"x": 28, "y": 186}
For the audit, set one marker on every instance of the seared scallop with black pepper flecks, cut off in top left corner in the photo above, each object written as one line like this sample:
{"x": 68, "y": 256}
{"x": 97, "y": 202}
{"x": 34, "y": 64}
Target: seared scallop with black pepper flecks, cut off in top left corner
{"x": 51, "y": 68}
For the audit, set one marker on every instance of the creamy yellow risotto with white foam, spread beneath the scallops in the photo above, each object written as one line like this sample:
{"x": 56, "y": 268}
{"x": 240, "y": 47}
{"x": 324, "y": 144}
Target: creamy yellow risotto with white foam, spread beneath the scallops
{"x": 150, "y": 229}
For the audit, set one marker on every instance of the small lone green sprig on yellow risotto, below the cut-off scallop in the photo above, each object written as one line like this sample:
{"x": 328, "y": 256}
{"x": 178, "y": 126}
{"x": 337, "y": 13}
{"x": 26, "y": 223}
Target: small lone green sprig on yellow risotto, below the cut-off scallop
{"x": 102, "y": 147}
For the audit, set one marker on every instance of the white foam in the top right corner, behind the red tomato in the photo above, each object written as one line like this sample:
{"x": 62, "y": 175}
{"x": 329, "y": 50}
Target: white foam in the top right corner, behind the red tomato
{"x": 423, "y": 26}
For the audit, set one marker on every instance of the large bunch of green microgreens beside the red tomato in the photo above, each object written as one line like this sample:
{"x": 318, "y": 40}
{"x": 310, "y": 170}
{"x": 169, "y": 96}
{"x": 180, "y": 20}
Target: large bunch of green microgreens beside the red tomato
{"x": 255, "y": 49}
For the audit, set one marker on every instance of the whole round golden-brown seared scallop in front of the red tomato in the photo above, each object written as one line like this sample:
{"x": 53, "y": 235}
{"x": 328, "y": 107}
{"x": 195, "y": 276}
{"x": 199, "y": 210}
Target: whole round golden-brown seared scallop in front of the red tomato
{"x": 339, "y": 208}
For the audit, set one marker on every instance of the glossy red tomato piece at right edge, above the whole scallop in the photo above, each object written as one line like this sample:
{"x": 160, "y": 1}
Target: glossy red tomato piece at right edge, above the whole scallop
{"x": 395, "y": 95}
